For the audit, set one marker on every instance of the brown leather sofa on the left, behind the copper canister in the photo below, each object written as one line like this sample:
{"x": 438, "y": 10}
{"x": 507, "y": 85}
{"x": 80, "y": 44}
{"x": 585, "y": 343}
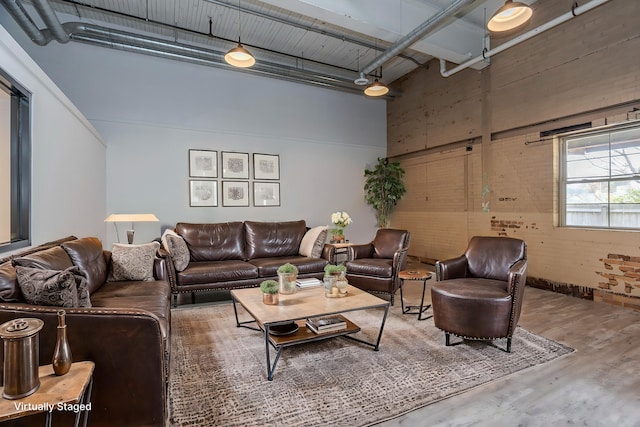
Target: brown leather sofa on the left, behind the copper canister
{"x": 126, "y": 333}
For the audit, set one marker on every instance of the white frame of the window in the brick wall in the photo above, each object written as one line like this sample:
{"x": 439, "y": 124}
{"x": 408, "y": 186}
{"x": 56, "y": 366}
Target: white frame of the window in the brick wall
{"x": 563, "y": 181}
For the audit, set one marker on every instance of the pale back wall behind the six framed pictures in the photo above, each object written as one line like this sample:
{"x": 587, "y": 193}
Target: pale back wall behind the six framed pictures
{"x": 151, "y": 111}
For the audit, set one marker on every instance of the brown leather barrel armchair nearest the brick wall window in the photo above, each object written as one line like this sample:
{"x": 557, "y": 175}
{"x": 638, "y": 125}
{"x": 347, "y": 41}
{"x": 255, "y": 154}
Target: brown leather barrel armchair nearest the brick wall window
{"x": 478, "y": 295}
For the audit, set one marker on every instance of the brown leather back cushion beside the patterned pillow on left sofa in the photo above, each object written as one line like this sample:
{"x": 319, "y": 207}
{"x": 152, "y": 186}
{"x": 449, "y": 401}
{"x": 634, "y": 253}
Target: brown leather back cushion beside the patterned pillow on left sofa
{"x": 87, "y": 254}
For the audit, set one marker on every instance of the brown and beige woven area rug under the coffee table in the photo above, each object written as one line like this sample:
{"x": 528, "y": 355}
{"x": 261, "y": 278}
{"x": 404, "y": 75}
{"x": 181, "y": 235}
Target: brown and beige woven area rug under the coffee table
{"x": 218, "y": 371}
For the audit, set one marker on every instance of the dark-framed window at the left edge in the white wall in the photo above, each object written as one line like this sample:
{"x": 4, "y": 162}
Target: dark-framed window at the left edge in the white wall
{"x": 15, "y": 163}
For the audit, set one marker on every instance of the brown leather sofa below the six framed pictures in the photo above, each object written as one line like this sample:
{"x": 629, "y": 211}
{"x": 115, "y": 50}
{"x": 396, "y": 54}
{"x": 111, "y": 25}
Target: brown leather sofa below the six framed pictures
{"x": 235, "y": 255}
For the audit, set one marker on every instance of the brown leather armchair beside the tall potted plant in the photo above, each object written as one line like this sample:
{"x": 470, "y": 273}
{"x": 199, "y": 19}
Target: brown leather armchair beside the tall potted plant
{"x": 374, "y": 266}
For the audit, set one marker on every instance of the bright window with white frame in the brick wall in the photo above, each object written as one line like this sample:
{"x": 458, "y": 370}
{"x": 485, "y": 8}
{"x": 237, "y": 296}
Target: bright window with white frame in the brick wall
{"x": 600, "y": 178}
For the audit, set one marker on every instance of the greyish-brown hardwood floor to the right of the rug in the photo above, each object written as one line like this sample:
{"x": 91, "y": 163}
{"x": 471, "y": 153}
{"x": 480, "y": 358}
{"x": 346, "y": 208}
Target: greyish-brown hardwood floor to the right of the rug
{"x": 597, "y": 385}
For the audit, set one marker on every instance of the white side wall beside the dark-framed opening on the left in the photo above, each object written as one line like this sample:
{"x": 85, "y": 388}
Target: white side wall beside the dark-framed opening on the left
{"x": 69, "y": 158}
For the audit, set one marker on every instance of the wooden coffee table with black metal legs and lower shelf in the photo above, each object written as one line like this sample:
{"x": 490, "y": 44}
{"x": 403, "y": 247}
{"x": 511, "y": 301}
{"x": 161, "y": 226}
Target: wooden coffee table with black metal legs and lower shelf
{"x": 305, "y": 303}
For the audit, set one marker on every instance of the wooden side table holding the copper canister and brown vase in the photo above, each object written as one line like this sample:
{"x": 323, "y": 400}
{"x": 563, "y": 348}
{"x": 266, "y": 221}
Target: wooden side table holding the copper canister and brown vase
{"x": 70, "y": 392}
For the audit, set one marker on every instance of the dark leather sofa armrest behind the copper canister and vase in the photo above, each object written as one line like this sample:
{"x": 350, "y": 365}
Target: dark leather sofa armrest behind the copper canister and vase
{"x": 127, "y": 348}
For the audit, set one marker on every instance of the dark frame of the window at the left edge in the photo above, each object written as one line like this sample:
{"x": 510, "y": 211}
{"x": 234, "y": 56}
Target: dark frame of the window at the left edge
{"x": 20, "y": 147}
